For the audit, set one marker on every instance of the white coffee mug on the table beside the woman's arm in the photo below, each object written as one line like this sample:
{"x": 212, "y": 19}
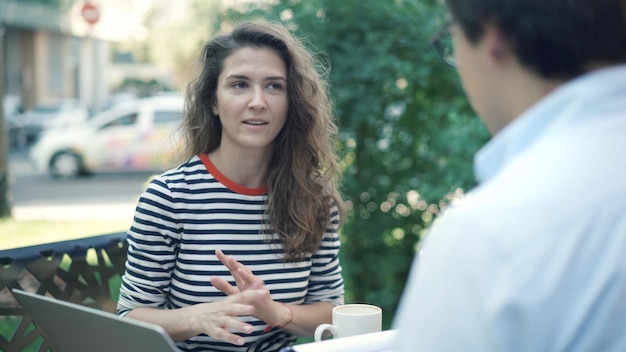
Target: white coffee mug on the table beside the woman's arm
{"x": 352, "y": 319}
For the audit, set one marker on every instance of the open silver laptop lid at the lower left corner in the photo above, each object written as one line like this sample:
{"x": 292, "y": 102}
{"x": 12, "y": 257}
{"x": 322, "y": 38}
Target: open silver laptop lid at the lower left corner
{"x": 75, "y": 328}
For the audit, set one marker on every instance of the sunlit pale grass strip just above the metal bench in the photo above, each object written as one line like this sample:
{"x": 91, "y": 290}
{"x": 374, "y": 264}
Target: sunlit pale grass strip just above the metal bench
{"x": 23, "y": 233}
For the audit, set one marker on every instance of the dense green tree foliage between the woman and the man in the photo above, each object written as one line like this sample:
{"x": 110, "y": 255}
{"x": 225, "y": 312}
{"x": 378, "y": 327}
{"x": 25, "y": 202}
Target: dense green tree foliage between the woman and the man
{"x": 408, "y": 133}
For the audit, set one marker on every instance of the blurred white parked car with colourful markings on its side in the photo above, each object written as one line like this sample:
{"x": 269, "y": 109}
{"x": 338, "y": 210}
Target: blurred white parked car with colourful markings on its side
{"x": 138, "y": 135}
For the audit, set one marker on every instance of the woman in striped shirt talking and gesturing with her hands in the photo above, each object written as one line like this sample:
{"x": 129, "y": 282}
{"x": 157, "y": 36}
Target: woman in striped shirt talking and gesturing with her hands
{"x": 238, "y": 246}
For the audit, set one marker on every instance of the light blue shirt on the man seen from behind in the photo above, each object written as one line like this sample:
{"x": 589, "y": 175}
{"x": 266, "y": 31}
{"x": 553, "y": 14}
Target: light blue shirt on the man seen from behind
{"x": 534, "y": 258}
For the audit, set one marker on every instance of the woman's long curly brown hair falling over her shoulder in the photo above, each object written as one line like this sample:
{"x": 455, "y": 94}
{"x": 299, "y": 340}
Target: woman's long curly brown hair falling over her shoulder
{"x": 304, "y": 172}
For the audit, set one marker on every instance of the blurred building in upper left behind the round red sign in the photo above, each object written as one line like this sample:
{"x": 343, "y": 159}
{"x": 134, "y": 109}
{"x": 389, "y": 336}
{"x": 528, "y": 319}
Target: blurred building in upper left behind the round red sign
{"x": 51, "y": 51}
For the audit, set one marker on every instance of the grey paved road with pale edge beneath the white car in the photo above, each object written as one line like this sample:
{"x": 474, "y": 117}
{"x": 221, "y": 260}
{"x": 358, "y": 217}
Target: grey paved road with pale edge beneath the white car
{"x": 103, "y": 196}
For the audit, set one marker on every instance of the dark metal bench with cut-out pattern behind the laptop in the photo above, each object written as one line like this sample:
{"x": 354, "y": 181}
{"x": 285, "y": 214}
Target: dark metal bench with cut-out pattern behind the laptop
{"x": 86, "y": 271}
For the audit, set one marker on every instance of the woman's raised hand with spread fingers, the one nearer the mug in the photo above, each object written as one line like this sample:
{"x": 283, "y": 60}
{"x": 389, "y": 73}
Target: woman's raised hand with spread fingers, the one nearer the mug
{"x": 265, "y": 308}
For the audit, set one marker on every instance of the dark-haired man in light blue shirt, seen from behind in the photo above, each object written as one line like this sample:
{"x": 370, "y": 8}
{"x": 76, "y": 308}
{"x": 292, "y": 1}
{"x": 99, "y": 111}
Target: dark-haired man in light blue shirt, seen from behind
{"x": 534, "y": 258}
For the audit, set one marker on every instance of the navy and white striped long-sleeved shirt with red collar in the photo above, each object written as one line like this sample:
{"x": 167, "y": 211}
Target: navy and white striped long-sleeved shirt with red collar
{"x": 186, "y": 214}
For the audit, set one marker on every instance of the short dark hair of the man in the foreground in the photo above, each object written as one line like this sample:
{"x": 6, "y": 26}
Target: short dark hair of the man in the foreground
{"x": 555, "y": 38}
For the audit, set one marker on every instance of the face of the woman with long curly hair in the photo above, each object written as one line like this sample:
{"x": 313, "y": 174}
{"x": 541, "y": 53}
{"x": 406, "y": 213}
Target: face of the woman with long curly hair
{"x": 251, "y": 98}
